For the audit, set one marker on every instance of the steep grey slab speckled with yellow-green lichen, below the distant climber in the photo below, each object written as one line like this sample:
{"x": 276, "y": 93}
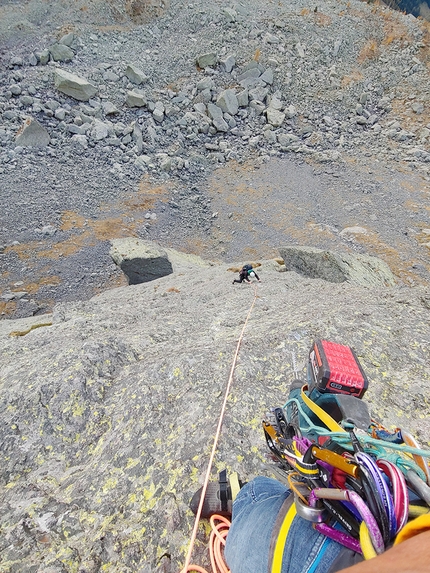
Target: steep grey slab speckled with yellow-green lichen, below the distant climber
{"x": 107, "y": 414}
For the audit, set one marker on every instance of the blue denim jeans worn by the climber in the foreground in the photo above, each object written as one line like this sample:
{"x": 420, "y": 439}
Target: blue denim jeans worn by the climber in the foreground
{"x": 254, "y": 514}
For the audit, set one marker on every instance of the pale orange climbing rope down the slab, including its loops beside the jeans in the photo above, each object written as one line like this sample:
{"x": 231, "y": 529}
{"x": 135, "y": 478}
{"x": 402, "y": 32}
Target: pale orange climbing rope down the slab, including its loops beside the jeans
{"x": 219, "y": 531}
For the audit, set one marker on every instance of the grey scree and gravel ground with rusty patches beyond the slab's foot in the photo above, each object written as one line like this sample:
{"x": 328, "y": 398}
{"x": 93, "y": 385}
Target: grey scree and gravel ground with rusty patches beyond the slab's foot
{"x": 350, "y": 84}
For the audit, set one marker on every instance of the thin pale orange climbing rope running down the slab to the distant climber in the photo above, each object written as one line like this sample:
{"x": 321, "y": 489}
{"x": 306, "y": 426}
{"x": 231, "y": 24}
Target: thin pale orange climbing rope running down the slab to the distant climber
{"x": 187, "y": 566}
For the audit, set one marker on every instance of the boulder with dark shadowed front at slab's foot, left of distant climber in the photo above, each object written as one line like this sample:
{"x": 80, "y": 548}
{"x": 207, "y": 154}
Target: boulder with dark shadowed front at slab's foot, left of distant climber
{"x": 141, "y": 261}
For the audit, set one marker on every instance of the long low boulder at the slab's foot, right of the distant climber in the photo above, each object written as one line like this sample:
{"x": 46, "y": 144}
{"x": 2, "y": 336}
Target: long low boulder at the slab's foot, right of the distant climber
{"x": 337, "y": 267}
